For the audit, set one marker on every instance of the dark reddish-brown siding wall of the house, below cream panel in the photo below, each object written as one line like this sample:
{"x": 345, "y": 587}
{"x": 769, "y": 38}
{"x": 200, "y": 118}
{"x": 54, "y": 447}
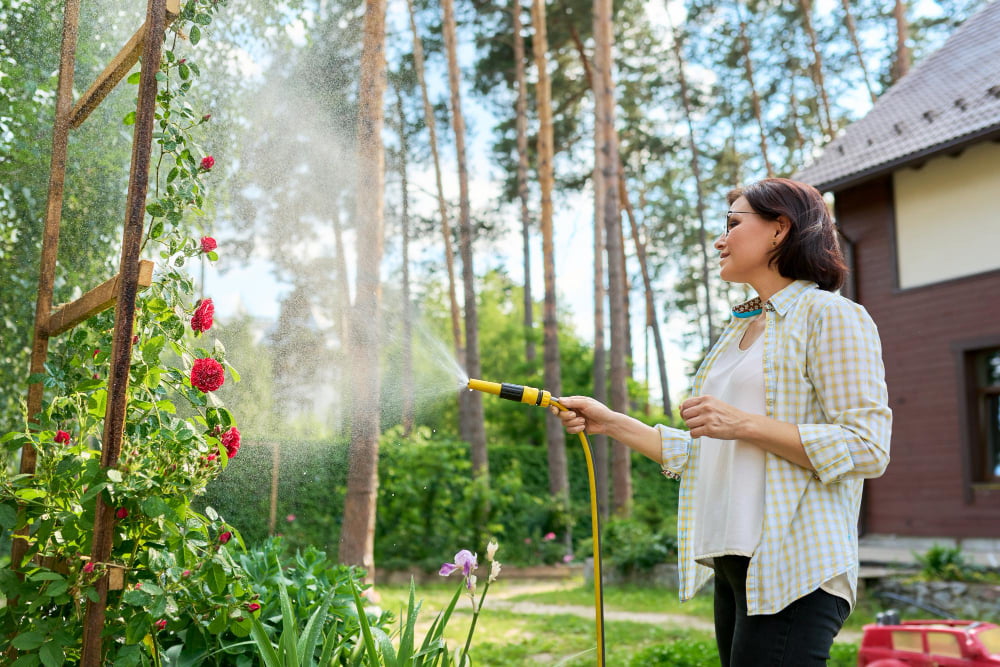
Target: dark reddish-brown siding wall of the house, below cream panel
{"x": 924, "y": 491}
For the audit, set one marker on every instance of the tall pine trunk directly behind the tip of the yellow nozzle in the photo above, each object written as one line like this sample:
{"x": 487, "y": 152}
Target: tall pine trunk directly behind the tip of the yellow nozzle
{"x": 472, "y": 415}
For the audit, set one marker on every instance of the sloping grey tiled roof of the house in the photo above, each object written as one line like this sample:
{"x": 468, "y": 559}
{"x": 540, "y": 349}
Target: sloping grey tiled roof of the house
{"x": 948, "y": 100}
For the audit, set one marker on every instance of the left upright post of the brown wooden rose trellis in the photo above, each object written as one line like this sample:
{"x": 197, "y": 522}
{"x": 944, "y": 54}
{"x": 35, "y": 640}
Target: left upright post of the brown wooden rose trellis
{"x": 50, "y": 239}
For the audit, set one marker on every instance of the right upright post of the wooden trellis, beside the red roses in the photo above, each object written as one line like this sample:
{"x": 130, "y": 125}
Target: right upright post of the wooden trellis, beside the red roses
{"x": 121, "y": 346}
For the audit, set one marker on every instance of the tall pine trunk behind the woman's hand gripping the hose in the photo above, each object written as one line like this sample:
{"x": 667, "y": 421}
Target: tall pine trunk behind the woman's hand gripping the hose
{"x": 554, "y": 432}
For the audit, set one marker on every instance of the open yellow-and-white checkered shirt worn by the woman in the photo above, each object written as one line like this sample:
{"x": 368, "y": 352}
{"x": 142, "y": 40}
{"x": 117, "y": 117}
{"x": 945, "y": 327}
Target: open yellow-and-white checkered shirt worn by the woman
{"x": 822, "y": 371}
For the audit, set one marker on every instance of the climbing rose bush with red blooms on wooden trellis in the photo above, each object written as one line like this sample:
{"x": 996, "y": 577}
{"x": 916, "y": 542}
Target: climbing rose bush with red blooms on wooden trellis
{"x": 181, "y": 597}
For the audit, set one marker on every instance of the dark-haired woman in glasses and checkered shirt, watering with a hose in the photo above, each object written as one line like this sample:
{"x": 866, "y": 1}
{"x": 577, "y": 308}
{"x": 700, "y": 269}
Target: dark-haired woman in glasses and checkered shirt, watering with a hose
{"x": 789, "y": 414}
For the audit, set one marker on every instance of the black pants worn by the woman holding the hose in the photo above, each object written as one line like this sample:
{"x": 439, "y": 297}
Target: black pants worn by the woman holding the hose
{"x": 800, "y": 635}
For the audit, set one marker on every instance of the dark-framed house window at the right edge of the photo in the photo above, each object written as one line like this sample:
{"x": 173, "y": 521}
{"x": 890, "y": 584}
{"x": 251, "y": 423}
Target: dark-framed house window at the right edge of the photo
{"x": 986, "y": 435}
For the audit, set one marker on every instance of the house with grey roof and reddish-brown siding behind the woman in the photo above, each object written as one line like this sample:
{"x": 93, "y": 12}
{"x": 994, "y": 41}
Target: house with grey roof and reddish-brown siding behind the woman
{"x": 916, "y": 186}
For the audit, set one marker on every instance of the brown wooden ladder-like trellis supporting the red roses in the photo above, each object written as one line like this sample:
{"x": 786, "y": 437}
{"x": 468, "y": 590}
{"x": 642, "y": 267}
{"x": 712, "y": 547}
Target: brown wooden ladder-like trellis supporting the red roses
{"x": 121, "y": 290}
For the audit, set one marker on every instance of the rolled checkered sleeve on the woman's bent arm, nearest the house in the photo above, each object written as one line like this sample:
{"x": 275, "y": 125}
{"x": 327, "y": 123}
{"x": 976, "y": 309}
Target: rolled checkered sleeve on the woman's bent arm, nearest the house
{"x": 844, "y": 364}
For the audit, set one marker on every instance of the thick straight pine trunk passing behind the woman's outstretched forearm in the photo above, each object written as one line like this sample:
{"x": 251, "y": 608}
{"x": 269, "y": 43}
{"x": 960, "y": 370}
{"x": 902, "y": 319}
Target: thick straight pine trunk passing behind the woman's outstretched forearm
{"x": 621, "y": 462}
